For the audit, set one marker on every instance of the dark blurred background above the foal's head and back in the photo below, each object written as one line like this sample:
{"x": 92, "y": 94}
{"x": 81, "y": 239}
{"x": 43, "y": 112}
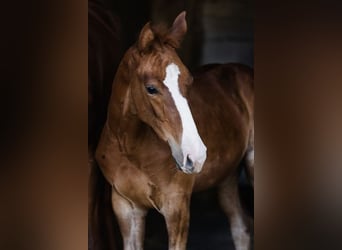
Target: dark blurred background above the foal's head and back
{"x": 218, "y": 30}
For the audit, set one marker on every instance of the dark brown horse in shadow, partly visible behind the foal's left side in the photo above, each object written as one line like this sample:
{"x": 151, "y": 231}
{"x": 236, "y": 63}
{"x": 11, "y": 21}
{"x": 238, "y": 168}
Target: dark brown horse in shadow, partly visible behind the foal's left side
{"x": 104, "y": 55}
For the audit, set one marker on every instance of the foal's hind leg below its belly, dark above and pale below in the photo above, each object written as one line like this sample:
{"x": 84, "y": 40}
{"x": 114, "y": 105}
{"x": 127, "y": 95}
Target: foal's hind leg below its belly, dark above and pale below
{"x": 239, "y": 224}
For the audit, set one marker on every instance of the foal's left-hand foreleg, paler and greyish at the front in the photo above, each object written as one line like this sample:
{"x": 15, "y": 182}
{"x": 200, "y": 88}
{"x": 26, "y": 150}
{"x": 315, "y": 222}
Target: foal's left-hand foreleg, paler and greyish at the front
{"x": 131, "y": 219}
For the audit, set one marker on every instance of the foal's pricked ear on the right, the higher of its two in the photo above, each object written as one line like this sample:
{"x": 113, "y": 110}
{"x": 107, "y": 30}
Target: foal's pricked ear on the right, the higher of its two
{"x": 178, "y": 30}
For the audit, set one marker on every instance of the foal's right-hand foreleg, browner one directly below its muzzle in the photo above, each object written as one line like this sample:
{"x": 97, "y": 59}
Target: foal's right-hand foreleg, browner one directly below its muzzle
{"x": 176, "y": 214}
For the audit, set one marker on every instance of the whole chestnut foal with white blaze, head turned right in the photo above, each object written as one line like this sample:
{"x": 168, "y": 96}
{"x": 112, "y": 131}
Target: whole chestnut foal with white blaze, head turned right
{"x": 169, "y": 133}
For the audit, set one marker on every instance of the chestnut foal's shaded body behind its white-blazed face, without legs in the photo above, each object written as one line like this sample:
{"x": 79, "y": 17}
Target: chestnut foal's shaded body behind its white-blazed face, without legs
{"x": 222, "y": 100}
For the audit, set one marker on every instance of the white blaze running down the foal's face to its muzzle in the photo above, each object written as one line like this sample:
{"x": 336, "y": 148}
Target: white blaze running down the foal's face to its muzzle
{"x": 192, "y": 144}
